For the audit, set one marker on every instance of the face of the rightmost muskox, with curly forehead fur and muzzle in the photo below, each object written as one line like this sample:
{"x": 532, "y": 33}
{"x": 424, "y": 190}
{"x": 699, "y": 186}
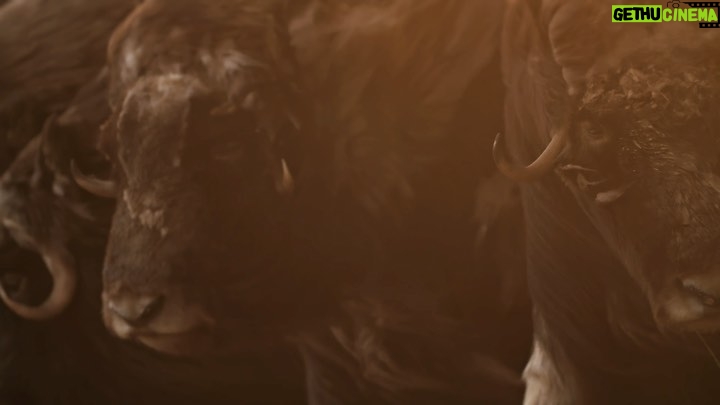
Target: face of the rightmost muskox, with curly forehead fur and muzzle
{"x": 644, "y": 163}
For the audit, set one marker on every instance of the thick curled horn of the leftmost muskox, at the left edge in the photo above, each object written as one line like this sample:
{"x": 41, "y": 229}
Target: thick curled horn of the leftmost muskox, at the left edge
{"x": 61, "y": 268}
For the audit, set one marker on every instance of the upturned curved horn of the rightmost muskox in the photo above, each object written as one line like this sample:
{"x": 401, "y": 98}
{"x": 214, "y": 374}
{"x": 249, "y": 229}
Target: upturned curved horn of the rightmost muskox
{"x": 543, "y": 164}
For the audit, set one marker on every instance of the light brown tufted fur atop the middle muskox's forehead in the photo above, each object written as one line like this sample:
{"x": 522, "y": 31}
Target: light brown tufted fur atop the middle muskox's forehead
{"x": 151, "y": 43}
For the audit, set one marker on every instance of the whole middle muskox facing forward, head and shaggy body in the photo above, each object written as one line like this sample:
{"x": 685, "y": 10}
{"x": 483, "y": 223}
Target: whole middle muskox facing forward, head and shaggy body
{"x": 310, "y": 170}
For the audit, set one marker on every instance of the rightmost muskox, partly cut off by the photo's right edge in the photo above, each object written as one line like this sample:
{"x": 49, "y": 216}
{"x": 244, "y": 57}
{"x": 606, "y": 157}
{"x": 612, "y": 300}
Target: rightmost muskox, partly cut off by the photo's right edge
{"x": 622, "y": 206}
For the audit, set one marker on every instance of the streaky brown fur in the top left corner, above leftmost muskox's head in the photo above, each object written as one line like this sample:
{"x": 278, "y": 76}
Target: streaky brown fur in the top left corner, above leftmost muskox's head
{"x": 47, "y": 51}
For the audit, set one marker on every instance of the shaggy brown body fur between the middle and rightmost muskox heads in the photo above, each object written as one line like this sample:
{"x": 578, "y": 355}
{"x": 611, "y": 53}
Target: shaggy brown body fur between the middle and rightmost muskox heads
{"x": 404, "y": 131}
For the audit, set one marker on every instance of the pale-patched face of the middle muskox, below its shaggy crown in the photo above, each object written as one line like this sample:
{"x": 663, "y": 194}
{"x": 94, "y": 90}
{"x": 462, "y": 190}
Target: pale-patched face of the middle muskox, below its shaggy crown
{"x": 199, "y": 190}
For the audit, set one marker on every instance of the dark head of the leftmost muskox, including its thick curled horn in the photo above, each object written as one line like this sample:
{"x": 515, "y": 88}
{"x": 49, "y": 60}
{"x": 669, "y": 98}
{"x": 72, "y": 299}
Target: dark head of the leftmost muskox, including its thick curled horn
{"x": 45, "y": 216}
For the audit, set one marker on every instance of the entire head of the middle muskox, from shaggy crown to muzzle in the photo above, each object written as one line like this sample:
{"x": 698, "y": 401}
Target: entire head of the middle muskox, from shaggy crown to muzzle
{"x": 198, "y": 140}
